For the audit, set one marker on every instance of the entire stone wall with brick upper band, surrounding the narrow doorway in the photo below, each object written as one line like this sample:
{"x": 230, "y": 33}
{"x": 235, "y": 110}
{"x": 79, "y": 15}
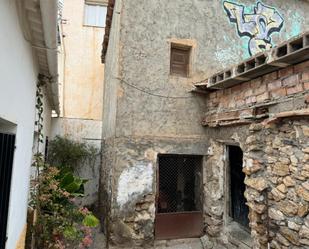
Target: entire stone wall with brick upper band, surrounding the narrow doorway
{"x": 261, "y": 116}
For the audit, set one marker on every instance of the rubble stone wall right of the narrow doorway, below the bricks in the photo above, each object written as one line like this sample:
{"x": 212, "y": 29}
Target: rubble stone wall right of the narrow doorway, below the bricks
{"x": 276, "y": 165}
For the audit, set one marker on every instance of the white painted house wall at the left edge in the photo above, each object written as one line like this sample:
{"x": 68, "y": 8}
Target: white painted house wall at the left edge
{"x": 18, "y": 72}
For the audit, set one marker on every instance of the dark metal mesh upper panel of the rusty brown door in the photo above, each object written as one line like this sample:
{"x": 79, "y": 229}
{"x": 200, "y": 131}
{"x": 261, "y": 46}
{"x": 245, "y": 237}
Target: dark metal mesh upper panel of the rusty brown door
{"x": 179, "y": 183}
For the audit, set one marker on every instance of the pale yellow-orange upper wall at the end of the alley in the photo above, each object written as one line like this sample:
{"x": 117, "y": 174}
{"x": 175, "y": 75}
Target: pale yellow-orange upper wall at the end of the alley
{"x": 83, "y": 70}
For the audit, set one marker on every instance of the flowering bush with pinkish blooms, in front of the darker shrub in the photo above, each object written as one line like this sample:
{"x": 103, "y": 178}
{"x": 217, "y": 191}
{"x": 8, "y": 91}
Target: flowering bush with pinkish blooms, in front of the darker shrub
{"x": 60, "y": 223}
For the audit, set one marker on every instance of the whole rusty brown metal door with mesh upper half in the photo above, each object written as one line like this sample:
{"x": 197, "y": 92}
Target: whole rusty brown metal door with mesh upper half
{"x": 179, "y": 197}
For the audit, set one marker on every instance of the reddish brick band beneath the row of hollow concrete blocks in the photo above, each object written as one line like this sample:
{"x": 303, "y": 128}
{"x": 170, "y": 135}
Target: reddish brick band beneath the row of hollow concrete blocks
{"x": 243, "y": 102}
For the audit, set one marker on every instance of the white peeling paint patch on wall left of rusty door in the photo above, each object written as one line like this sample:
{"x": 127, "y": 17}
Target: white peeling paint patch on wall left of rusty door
{"x": 133, "y": 182}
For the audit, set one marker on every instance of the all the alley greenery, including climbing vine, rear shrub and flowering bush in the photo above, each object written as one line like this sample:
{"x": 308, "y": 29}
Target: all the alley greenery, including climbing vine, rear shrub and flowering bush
{"x": 59, "y": 223}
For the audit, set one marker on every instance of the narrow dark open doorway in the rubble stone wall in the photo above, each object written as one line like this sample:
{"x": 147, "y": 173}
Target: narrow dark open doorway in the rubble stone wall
{"x": 238, "y": 210}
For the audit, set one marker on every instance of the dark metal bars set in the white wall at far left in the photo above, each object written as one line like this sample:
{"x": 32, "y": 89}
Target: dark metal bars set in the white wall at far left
{"x": 7, "y": 145}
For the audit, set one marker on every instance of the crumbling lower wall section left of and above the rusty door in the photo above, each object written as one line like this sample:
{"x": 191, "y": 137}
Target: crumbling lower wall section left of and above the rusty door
{"x": 133, "y": 186}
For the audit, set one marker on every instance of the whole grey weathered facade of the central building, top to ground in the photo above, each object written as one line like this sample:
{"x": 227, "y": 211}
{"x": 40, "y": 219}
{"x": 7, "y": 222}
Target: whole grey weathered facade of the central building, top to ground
{"x": 147, "y": 109}
